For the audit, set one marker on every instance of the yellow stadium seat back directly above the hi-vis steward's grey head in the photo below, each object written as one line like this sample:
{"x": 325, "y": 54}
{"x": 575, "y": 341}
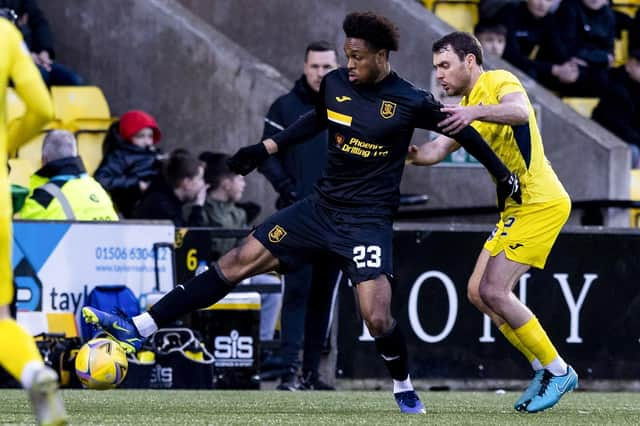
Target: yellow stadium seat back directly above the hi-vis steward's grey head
{"x": 80, "y": 107}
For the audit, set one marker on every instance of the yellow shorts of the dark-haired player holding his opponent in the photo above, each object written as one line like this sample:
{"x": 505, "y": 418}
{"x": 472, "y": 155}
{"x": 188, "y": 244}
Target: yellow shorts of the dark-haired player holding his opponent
{"x": 526, "y": 233}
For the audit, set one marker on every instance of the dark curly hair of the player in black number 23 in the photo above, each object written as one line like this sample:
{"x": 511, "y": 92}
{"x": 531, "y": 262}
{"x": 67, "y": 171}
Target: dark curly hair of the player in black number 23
{"x": 378, "y": 31}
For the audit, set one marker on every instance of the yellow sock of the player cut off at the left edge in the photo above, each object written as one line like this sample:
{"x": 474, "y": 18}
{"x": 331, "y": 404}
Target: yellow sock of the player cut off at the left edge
{"x": 17, "y": 348}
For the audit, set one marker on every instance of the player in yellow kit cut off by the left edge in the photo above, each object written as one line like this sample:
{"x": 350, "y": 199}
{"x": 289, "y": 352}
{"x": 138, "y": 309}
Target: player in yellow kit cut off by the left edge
{"x": 18, "y": 352}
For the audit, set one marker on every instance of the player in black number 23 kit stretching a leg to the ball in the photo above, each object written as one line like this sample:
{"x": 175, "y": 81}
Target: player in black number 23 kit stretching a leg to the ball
{"x": 370, "y": 113}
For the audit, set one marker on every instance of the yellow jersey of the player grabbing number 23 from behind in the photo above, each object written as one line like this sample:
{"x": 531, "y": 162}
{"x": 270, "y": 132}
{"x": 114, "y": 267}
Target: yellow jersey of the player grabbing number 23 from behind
{"x": 519, "y": 147}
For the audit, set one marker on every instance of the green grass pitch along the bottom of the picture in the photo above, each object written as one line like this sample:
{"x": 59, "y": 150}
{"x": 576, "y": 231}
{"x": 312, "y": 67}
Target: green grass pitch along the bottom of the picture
{"x": 154, "y": 407}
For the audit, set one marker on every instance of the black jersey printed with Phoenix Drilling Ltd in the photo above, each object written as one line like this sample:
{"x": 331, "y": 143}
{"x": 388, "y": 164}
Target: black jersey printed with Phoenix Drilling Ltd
{"x": 370, "y": 129}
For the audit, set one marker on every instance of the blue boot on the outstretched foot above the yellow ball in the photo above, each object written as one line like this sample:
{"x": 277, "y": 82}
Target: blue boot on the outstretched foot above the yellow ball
{"x": 119, "y": 327}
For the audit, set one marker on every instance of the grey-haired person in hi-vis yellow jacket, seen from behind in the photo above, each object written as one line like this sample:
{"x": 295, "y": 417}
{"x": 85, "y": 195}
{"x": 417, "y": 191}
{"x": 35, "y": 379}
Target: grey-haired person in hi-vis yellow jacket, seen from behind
{"x": 62, "y": 189}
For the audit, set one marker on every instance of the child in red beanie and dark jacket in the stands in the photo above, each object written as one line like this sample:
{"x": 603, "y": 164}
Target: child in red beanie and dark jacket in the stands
{"x": 131, "y": 159}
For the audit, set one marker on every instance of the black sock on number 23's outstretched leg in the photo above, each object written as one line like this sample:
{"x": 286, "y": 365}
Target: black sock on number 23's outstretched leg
{"x": 199, "y": 292}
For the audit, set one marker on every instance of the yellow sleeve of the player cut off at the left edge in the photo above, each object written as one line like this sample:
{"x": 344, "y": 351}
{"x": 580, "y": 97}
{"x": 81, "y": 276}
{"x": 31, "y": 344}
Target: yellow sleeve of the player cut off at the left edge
{"x": 31, "y": 89}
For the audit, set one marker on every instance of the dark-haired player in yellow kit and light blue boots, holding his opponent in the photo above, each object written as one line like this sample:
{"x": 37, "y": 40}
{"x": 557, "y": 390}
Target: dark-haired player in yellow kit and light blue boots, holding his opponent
{"x": 497, "y": 106}
